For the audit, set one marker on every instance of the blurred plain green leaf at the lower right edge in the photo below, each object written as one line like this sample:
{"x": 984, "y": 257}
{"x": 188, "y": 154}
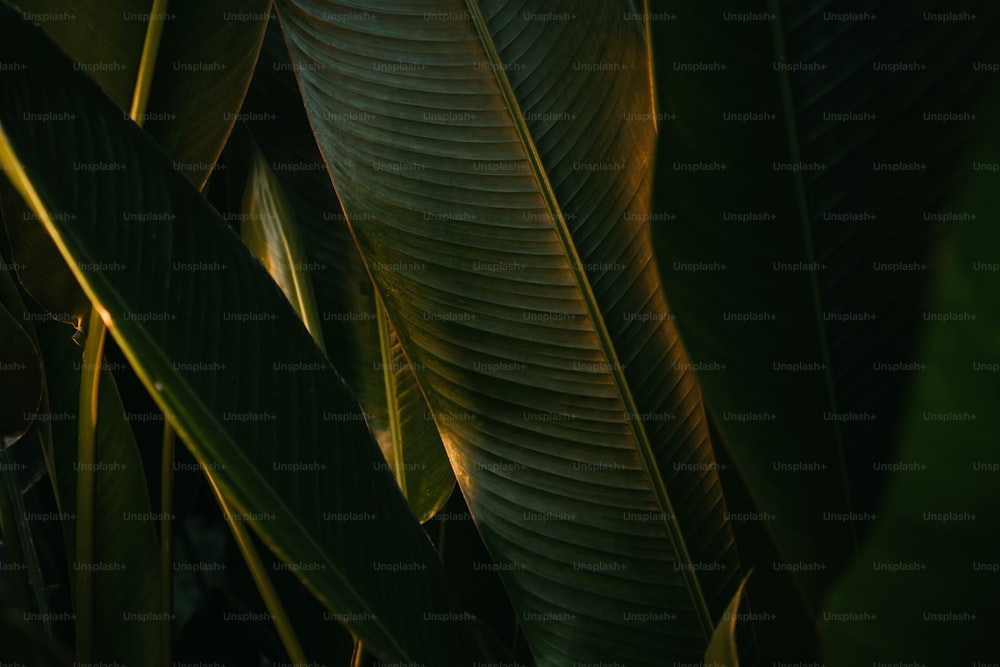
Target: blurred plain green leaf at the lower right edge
{"x": 926, "y": 587}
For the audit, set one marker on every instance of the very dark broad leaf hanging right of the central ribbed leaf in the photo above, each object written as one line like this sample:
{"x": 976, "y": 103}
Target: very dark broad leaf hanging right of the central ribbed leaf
{"x": 796, "y": 260}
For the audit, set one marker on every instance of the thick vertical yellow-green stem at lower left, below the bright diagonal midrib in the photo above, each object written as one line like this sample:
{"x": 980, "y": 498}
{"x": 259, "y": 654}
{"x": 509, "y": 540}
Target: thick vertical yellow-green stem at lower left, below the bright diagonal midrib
{"x": 86, "y": 496}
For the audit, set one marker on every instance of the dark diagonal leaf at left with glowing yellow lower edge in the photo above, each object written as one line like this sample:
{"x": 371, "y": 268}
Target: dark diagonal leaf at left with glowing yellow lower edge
{"x": 169, "y": 275}
